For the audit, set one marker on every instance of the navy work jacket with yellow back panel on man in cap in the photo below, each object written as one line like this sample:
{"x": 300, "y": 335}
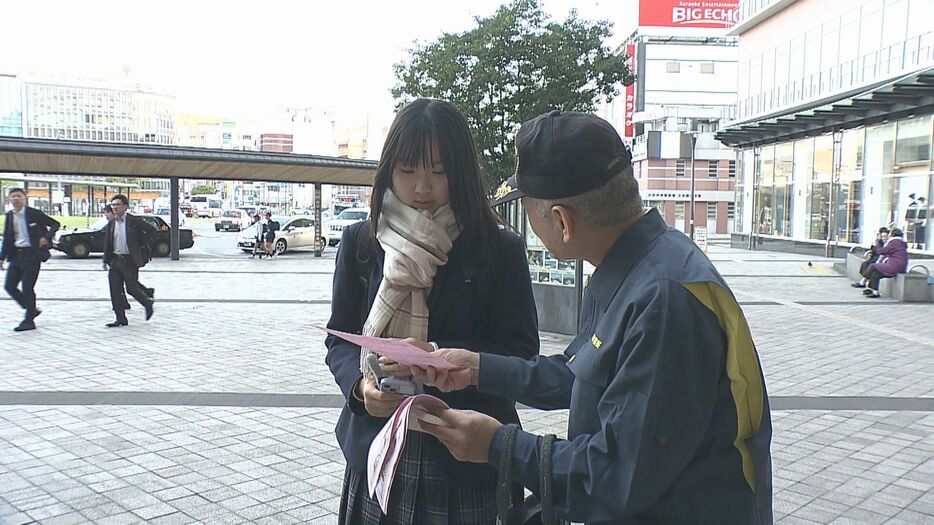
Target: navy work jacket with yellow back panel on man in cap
{"x": 669, "y": 418}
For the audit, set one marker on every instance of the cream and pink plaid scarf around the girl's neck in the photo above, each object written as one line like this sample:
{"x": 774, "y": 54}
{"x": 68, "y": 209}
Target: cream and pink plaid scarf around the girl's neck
{"x": 416, "y": 242}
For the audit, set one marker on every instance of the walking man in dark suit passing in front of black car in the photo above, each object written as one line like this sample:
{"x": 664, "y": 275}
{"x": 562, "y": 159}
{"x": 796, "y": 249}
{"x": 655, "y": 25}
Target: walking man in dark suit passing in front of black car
{"x": 126, "y": 249}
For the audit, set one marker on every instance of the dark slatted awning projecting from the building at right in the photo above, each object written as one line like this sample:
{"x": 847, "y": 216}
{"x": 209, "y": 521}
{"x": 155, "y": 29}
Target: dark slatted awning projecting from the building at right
{"x": 909, "y": 95}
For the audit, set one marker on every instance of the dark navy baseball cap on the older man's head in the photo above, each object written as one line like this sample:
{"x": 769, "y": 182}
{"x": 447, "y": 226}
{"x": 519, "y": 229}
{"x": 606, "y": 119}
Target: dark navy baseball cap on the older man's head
{"x": 563, "y": 155}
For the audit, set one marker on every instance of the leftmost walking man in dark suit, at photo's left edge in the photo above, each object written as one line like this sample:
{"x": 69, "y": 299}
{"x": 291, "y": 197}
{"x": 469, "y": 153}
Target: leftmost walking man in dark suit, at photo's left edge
{"x": 27, "y": 235}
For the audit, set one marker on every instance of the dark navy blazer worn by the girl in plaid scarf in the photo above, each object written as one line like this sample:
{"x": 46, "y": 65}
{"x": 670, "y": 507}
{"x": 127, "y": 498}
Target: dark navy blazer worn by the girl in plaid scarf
{"x": 489, "y": 311}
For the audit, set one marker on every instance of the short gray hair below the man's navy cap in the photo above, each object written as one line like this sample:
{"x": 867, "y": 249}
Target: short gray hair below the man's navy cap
{"x": 609, "y": 205}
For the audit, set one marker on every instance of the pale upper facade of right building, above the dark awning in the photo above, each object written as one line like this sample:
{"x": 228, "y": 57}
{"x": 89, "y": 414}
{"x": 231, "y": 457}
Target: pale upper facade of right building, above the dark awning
{"x": 855, "y": 44}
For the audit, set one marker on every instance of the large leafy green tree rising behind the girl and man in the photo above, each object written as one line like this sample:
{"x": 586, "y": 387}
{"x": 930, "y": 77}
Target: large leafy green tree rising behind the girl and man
{"x": 513, "y": 66}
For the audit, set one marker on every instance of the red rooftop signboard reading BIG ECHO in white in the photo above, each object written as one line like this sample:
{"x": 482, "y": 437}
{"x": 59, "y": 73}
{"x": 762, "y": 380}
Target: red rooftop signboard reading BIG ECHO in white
{"x": 688, "y": 13}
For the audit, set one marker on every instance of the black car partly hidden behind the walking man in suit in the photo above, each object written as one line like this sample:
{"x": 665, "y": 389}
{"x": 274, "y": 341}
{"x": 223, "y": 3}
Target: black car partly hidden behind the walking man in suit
{"x": 82, "y": 242}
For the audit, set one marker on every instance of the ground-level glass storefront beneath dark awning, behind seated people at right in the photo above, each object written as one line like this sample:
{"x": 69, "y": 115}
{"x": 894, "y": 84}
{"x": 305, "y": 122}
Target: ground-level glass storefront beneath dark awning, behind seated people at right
{"x": 842, "y": 187}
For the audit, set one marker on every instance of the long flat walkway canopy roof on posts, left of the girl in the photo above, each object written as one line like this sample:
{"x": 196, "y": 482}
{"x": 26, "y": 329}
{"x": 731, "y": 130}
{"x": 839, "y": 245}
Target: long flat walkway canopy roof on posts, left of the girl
{"x": 65, "y": 157}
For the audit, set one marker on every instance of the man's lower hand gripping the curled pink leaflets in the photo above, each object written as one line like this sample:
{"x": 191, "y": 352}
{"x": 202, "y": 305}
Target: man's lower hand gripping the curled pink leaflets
{"x": 470, "y": 437}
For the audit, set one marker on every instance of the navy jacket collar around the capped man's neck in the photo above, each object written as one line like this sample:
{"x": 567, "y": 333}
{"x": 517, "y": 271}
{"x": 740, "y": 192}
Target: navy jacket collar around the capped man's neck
{"x": 623, "y": 255}
